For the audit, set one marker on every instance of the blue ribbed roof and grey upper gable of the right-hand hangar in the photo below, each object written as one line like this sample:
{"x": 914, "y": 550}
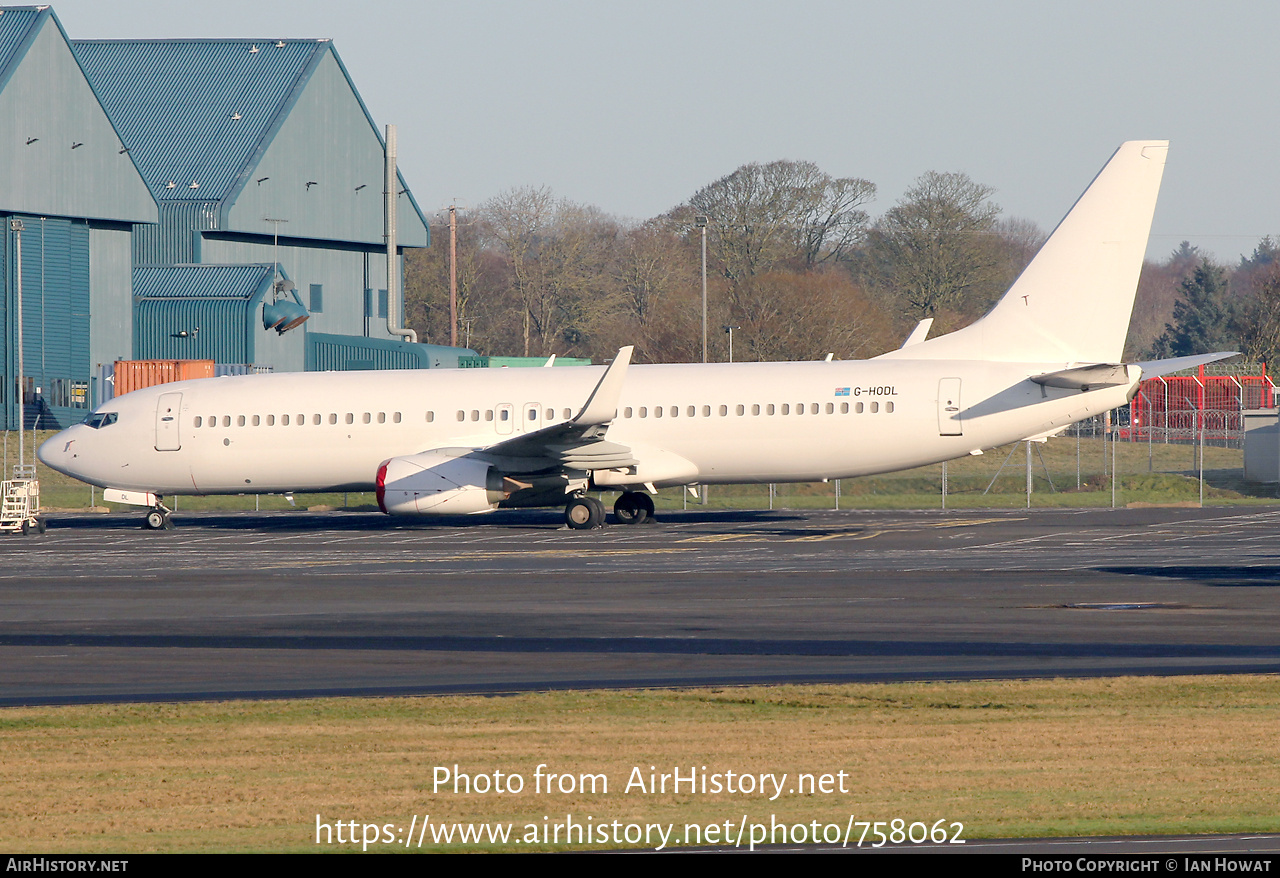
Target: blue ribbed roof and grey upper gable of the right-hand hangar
{"x": 212, "y": 121}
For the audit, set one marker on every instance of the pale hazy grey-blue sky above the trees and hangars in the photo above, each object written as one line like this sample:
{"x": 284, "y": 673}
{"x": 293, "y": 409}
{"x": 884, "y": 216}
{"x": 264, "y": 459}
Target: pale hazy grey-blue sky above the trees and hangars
{"x": 634, "y": 107}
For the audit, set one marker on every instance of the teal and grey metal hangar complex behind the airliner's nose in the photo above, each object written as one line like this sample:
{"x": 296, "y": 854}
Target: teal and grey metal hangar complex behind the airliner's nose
{"x": 191, "y": 199}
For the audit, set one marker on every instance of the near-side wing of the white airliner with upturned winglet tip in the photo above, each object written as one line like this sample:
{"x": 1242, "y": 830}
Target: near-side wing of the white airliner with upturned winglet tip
{"x": 579, "y": 443}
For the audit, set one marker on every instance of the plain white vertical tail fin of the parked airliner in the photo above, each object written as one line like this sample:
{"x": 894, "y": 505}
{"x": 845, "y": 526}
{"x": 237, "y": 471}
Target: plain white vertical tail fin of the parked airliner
{"x": 1075, "y": 301}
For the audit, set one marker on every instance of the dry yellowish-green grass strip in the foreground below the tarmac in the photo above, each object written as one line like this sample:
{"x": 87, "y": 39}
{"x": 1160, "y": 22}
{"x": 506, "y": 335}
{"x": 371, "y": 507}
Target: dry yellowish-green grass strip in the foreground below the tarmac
{"x": 1025, "y": 758}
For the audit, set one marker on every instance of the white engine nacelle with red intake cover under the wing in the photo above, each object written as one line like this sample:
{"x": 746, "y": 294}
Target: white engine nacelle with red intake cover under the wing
{"x": 438, "y": 483}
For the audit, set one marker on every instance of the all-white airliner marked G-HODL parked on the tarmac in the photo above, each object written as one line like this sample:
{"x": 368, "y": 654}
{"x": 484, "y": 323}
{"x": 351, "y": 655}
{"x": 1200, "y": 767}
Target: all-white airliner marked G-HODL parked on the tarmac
{"x": 447, "y": 442}
